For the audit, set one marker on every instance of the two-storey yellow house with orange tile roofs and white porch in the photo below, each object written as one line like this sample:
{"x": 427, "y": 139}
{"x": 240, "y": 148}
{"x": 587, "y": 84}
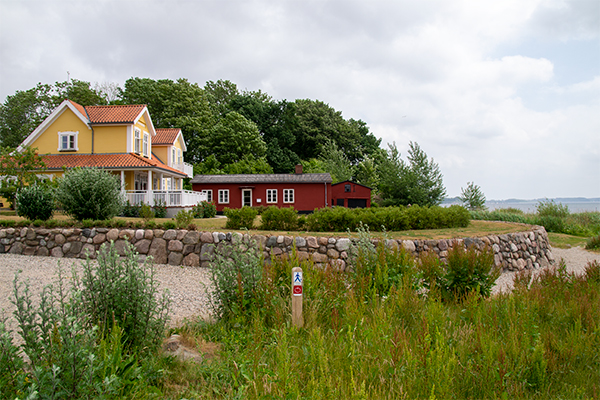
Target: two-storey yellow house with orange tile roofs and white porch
{"x": 120, "y": 139}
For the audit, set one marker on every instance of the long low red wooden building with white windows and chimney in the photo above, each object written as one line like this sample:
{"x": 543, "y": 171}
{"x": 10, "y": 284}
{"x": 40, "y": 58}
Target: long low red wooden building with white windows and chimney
{"x": 304, "y": 192}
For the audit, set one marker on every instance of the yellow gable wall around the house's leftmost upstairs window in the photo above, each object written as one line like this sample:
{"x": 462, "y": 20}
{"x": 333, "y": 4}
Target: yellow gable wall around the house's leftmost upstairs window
{"x": 47, "y": 142}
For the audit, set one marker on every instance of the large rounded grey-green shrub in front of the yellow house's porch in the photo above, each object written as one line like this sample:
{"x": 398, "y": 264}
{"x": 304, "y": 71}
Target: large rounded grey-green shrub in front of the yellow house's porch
{"x": 90, "y": 193}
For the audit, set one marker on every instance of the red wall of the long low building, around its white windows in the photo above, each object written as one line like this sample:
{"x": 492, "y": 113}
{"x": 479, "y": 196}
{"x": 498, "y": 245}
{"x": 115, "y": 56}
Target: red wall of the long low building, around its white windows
{"x": 307, "y": 196}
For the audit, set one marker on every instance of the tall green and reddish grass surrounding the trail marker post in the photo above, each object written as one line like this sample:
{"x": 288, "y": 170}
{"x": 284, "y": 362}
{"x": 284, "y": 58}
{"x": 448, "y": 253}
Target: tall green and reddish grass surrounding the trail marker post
{"x": 362, "y": 340}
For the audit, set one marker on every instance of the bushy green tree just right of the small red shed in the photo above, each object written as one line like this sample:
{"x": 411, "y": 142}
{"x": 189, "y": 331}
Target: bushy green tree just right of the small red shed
{"x": 418, "y": 181}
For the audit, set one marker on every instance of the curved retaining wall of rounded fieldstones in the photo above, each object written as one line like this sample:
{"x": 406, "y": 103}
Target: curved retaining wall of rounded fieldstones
{"x": 512, "y": 251}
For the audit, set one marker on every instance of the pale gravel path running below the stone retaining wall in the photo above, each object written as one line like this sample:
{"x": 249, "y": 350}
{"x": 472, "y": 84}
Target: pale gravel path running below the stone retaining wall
{"x": 187, "y": 285}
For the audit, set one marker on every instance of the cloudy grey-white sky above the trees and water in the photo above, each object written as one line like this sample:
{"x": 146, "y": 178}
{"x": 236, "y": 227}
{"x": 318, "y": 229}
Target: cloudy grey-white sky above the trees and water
{"x": 502, "y": 93}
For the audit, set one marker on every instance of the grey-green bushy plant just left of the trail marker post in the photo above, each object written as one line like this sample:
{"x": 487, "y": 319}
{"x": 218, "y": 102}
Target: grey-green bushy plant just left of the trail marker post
{"x": 236, "y": 273}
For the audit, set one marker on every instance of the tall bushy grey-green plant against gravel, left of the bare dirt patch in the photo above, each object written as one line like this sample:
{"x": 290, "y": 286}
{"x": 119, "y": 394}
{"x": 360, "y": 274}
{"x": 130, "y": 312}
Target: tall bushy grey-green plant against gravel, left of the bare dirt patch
{"x": 123, "y": 291}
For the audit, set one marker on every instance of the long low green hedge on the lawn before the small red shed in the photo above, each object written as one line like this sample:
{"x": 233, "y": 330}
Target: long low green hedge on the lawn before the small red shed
{"x": 340, "y": 219}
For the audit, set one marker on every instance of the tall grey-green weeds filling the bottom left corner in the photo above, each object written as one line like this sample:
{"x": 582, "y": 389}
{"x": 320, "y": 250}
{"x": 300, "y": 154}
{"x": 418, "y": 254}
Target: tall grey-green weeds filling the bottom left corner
{"x": 69, "y": 356}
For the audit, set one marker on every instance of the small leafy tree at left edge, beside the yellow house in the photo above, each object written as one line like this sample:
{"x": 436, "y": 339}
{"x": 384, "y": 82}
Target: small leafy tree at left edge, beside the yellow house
{"x": 18, "y": 169}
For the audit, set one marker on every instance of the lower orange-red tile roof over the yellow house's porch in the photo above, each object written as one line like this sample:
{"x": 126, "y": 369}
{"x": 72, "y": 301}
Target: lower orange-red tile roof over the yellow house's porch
{"x": 108, "y": 161}
